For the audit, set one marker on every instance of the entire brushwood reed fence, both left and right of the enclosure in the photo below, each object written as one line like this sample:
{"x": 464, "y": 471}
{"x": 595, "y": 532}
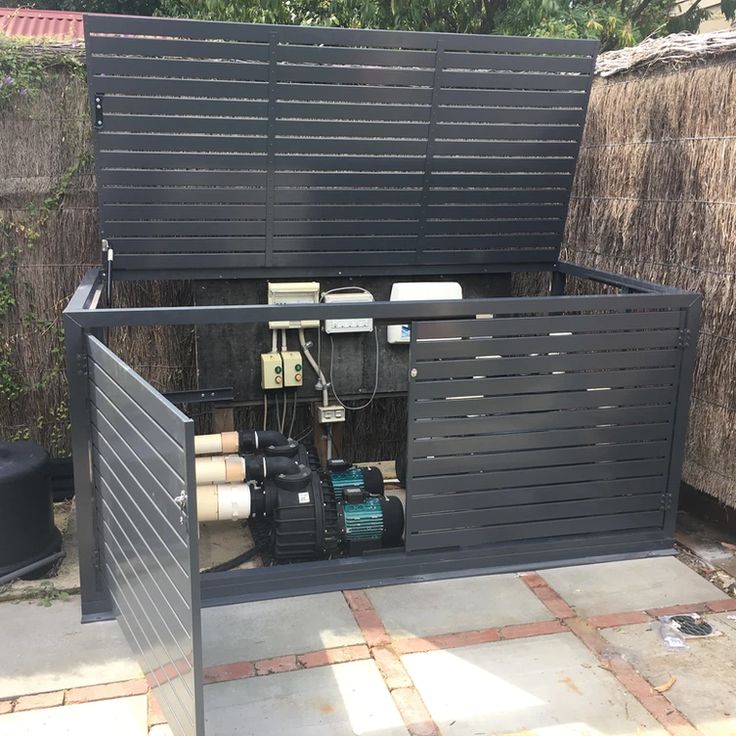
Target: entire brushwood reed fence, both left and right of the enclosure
{"x": 655, "y": 197}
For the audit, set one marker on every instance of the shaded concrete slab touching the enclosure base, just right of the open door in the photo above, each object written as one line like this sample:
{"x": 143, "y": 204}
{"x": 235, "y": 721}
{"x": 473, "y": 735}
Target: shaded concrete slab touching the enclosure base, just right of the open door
{"x": 270, "y": 628}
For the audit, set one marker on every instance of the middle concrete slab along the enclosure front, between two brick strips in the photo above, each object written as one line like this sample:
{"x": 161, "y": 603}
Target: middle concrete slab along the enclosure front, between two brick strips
{"x": 464, "y": 604}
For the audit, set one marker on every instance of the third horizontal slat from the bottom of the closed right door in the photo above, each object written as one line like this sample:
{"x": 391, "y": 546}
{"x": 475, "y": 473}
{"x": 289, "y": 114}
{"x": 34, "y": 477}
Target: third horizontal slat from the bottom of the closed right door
{"x": 534, "y": 495}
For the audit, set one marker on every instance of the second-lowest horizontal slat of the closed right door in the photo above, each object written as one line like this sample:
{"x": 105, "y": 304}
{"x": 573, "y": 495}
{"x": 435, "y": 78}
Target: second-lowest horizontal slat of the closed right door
{"x": 524, "y": 514}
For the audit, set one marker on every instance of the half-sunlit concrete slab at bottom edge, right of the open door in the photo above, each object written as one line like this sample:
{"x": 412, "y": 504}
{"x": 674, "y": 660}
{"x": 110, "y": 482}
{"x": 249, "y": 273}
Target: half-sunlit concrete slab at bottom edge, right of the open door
{"x": 343, "y": 699}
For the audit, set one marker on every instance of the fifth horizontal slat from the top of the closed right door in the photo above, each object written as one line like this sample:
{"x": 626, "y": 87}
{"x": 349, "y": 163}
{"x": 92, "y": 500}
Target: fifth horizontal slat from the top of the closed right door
{"x": 545, "y": 402}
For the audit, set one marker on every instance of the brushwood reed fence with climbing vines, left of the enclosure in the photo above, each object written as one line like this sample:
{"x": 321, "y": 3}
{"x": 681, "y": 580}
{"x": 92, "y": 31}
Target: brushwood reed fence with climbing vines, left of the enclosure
{"x": 48, "y": 239}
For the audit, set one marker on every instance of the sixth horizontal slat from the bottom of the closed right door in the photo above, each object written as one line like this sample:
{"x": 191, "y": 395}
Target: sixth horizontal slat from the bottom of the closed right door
{"x": 535, "y": 439}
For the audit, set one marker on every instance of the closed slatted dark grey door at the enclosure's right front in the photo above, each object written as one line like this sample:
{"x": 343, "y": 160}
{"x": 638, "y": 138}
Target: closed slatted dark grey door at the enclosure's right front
{"x": 540, "y": 425}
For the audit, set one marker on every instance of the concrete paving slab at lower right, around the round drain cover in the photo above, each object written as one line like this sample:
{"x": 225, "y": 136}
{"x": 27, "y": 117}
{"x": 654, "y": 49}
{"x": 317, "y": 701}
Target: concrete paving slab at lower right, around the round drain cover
{"x": 705, "y": 675}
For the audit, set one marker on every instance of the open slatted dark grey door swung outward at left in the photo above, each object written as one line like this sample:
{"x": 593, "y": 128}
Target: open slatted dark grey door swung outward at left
{"x": 142, "y": 450}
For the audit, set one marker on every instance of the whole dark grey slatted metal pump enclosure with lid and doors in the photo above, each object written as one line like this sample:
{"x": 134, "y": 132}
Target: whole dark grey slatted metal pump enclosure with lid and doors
{"x": 542, "y": 429}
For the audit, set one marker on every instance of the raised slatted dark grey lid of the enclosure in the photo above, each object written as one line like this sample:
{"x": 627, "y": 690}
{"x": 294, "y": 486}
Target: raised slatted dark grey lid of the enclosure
{"x": 239, "y": 150}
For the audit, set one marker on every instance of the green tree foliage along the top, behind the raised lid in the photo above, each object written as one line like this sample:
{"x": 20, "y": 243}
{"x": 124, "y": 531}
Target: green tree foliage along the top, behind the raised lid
{"x": 616, "y": 23}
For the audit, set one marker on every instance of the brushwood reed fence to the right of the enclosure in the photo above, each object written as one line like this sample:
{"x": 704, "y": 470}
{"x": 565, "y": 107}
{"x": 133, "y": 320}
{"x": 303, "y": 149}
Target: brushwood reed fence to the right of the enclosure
{"x": 655, "y": 197}
